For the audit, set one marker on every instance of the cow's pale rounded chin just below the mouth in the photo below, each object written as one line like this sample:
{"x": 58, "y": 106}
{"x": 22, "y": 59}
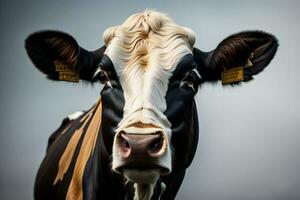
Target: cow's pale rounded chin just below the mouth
{"x": 149, "y": 176}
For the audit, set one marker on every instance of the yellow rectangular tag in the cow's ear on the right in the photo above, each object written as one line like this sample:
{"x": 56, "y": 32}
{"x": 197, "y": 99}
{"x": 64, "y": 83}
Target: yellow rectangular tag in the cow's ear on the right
{"x": 232, "y": 75}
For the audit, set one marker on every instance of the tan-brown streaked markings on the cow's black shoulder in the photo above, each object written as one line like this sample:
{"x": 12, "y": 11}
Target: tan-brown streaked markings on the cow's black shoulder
{"x": 91, "y": 123}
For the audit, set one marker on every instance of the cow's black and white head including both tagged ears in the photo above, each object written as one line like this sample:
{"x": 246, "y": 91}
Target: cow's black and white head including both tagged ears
{"x": 151, "y": 72}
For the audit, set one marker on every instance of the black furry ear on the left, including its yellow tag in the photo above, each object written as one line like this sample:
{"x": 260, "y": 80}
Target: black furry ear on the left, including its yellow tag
{"x": 58, "y": 55}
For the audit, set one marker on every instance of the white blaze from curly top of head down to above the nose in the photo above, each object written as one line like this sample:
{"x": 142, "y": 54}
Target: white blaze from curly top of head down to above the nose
{"x": 145, "y": 50}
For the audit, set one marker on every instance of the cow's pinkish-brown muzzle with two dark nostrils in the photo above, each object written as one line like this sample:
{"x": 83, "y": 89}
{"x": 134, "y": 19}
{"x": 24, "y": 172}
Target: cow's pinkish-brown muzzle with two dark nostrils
{"x": 142, "y": 152}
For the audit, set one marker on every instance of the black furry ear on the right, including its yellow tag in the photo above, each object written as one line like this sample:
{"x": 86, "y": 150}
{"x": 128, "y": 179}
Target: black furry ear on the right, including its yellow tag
{"x": 237, "y": 58}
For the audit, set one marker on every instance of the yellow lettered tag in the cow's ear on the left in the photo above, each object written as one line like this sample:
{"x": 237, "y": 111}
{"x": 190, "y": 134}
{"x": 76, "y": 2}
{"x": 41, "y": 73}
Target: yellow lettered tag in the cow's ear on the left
{"x": 65, "y": 71}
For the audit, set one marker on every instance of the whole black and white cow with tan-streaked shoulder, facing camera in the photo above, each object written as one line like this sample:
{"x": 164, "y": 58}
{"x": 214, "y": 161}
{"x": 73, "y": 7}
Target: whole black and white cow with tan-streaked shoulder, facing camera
{"x": 139, "y": 138}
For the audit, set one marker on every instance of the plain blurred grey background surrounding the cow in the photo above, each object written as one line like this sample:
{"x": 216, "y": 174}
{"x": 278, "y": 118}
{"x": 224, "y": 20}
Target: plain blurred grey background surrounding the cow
{"x": 249, "y": 135}
